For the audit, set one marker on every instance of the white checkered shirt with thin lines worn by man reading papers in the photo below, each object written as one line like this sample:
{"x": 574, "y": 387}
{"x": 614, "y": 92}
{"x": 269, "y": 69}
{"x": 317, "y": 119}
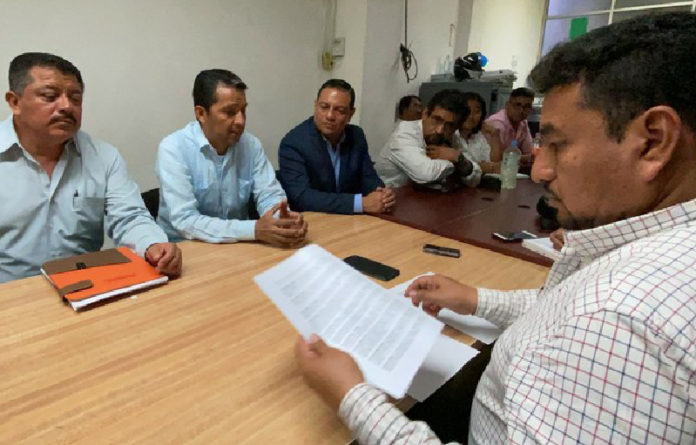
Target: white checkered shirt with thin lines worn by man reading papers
{"x": 604, "y": 353}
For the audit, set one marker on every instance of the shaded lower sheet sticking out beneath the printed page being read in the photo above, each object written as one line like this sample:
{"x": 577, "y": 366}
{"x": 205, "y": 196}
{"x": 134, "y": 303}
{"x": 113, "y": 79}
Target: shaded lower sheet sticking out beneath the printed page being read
{"x": 444, "y": 360}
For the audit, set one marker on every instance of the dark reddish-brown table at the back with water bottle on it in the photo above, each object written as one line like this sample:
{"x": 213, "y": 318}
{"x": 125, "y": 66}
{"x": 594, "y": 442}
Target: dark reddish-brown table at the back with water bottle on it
{"x": 472, "y": 215}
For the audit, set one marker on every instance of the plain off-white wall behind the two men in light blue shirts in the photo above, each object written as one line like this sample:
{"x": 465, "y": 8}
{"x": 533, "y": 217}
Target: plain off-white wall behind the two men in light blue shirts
{"x": 139, "y": 59}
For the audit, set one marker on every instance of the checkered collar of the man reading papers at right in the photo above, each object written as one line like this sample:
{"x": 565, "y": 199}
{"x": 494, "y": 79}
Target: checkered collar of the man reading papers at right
{"x": 593, "y": 243}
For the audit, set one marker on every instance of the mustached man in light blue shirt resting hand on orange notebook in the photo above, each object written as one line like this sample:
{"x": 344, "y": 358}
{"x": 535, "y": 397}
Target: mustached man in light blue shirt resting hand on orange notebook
{"x": 58, "y": 185}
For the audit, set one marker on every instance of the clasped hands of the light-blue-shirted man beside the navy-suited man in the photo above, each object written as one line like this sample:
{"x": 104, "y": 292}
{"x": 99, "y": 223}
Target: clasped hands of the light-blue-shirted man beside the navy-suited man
{"x": 287, "y": 230}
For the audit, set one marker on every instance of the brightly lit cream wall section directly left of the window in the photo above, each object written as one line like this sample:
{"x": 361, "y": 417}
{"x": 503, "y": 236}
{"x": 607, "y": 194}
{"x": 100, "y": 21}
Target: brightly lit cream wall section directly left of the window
{"x": 508, "y": 33}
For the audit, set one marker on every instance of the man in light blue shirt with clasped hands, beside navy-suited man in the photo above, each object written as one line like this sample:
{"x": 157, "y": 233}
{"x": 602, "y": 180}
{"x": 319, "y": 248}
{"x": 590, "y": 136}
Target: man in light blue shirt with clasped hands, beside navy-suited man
{"x": 211, "y": 171}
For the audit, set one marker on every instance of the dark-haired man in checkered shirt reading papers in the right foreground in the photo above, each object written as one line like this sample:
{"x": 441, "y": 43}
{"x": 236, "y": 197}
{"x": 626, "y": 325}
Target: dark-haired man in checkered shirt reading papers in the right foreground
{"x": 605, "y": 352}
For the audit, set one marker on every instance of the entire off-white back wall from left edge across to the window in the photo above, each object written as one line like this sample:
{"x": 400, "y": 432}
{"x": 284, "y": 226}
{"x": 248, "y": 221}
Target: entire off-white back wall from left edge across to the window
{"x": 139, "y": 58}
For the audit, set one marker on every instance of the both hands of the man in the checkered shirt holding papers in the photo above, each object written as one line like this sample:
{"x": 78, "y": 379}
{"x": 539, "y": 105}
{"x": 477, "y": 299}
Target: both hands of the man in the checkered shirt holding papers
{"x": 332, "y": 372}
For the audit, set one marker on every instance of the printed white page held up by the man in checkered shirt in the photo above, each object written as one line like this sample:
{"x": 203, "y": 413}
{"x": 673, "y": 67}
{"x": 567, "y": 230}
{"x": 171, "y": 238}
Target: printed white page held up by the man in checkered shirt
{"x": 320, "y": 294}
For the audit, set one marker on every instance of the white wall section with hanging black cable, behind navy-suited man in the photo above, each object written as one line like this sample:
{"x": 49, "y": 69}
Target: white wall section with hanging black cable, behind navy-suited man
{"x": 378, "y": 69}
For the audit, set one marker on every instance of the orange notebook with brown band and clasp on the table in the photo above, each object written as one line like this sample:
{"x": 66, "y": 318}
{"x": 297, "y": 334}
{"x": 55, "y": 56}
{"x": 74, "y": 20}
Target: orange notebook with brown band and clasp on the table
{"x": 86, "y": 279}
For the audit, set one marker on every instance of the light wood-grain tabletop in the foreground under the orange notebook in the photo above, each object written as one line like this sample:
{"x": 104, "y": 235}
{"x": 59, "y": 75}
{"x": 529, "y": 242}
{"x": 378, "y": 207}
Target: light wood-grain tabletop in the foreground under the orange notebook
{"x": 204, "y": 359}
